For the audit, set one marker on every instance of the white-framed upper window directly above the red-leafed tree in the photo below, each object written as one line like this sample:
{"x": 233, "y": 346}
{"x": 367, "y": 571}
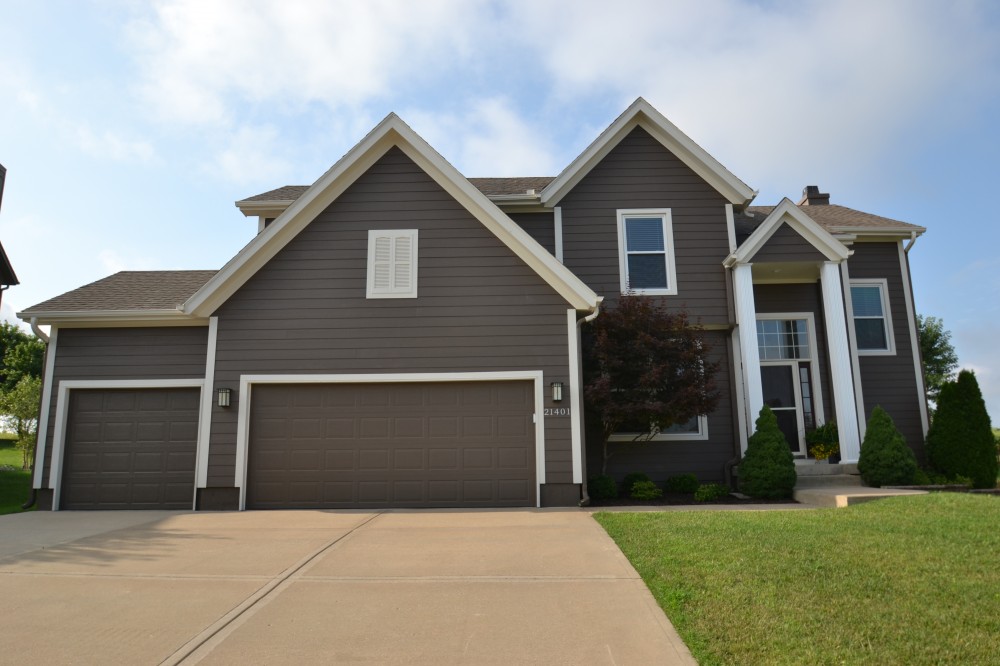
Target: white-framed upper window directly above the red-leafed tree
{"x": 646, "y": 252}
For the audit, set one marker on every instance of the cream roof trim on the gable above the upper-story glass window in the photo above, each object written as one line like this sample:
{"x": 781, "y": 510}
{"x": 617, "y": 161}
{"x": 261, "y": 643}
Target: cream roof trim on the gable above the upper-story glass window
{"x": 642, "y": 114}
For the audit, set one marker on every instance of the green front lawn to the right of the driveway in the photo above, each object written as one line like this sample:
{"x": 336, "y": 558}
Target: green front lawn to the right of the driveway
{"x": 912, "y": 580}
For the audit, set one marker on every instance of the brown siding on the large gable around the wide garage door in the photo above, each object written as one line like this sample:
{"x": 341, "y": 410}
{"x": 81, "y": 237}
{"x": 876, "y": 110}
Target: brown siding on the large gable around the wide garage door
{"x": 480, "y": 308}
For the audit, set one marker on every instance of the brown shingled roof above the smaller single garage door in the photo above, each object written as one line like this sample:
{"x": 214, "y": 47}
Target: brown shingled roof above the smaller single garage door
{"x": 127, "y": 291}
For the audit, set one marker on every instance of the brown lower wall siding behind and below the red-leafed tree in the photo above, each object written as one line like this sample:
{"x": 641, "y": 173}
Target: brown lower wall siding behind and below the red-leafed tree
{"x": 706, "y": 459}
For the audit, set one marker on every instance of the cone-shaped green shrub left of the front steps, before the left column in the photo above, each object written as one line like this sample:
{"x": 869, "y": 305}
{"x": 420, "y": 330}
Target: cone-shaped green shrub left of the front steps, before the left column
{"x": 768, "y": 468}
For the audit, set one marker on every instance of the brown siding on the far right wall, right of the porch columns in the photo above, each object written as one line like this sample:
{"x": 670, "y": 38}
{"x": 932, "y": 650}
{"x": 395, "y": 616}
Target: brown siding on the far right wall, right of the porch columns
{"x": 890, "y": 381}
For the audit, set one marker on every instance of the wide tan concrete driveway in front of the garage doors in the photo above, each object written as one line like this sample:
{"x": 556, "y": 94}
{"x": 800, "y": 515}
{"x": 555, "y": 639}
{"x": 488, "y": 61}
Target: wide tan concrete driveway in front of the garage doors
{"x": 442, "y": 587}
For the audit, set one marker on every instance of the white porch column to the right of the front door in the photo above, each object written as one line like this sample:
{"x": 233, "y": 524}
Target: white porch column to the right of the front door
{"x": 841, "y": 374}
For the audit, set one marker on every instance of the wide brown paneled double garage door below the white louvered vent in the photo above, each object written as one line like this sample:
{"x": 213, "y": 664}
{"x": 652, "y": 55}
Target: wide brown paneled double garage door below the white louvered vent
{"x": 456, "y": 444}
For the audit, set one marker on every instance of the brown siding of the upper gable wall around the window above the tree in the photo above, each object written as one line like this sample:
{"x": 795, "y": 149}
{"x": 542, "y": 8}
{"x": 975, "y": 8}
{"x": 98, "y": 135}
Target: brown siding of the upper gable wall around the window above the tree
{"x": 640, "y": 173}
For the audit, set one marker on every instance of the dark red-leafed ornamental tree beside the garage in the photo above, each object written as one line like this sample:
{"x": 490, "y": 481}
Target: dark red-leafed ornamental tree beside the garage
{"x": 645, "y": 369}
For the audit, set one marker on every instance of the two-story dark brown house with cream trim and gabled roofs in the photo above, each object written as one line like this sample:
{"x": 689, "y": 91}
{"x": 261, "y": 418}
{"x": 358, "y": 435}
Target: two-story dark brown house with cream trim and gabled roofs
{"x": 399, "y": 335}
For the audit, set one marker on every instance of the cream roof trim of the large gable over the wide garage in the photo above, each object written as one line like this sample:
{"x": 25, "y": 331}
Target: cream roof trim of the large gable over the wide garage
{"x": 392, "y": 131}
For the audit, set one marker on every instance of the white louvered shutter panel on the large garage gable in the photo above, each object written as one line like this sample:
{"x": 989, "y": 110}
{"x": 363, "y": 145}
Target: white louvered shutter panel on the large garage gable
{"x": 392, "y": 263}
